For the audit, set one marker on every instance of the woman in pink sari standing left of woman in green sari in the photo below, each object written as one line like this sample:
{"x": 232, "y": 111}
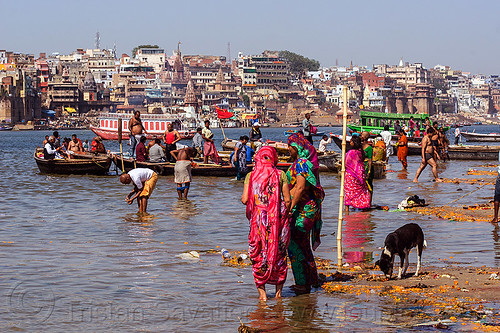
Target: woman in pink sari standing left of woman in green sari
{"x": 267, "y": 197}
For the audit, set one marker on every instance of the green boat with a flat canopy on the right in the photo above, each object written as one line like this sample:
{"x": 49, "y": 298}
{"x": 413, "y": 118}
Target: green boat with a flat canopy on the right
{"x": 374, "y": 122}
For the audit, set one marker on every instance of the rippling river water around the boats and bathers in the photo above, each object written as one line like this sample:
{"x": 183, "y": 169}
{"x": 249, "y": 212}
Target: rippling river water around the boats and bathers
{"x": 76, "y": 258}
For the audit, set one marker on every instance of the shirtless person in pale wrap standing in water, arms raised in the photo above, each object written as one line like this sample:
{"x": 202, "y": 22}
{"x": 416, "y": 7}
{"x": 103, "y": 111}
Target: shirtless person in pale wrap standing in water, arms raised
{"x": 182, "y": 169}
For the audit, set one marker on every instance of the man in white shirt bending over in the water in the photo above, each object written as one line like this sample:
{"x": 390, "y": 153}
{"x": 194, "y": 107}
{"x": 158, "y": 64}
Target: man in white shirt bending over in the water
{"x": 144, "y": 181}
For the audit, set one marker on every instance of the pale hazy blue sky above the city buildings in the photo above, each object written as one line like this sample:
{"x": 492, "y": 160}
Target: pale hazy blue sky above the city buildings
{"x": 461, "y": 34}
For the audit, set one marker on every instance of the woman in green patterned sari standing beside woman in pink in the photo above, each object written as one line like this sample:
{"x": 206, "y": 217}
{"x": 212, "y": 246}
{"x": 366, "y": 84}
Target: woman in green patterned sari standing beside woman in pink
{"x": 307, "y": 197}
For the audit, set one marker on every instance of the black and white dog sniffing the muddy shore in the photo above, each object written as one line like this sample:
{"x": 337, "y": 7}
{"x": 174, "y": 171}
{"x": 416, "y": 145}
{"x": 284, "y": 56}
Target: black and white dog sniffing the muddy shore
{"x": 400, "y": 242}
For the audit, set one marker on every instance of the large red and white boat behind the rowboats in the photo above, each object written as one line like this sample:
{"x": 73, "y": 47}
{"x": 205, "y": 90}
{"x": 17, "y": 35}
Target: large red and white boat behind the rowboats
{"x": 155, "y": 125}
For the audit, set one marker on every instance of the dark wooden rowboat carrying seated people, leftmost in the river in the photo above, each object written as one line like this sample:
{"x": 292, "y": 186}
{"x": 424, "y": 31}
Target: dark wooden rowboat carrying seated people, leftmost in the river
{"x": 80, "y": 164}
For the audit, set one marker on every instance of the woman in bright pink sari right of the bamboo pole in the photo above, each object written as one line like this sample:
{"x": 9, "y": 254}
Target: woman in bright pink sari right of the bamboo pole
{"x": 356, "y": 191}
